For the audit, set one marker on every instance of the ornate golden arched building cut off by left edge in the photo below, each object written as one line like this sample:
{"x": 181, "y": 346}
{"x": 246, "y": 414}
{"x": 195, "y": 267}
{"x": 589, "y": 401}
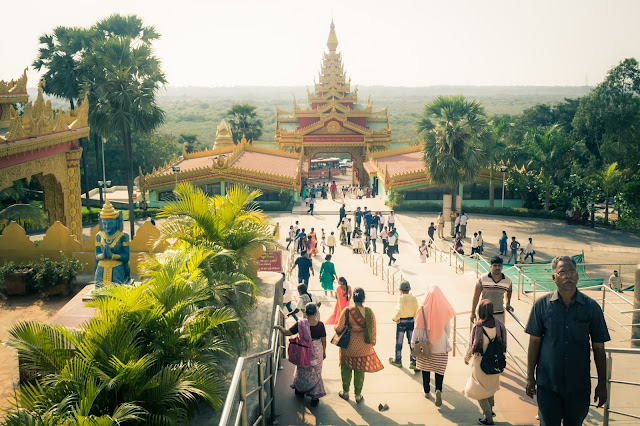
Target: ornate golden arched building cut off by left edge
{"x": 43, "y": 144}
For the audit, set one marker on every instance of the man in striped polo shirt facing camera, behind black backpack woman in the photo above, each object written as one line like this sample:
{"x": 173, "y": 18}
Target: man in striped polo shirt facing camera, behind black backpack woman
{"x": 496, "y": 287}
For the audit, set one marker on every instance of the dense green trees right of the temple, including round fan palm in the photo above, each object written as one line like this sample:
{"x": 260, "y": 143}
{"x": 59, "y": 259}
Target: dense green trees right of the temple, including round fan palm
{"x": 563, "y": 156}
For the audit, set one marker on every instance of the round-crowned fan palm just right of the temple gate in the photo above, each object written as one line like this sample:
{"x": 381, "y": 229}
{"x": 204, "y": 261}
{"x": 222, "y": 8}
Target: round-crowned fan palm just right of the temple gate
{"x": 451, "y": 128}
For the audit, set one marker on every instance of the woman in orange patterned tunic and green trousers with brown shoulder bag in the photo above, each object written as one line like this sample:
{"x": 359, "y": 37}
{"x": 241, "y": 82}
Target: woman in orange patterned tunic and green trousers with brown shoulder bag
{"x": 359, "y": 356}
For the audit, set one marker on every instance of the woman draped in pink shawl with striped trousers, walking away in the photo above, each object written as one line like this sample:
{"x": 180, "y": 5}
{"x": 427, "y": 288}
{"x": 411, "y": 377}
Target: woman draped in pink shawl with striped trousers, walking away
{"x": 433, "y": 322}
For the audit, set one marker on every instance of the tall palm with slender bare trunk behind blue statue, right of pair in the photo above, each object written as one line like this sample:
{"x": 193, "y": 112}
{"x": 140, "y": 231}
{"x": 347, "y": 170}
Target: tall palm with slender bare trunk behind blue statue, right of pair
{"x": 125, "y": 78}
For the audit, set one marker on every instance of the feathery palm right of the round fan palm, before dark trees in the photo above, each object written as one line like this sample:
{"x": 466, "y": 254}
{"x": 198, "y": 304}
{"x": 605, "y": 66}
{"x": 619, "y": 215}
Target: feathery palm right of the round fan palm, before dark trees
{"x": 546, "y": 153}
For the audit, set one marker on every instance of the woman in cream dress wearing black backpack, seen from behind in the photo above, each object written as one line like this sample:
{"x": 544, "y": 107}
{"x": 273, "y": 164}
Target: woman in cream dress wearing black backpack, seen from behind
{"x": 488, "y": 344}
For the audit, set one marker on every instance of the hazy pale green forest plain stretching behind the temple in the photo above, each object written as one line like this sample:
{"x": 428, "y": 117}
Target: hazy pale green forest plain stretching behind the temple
{"x": 199, "y": 110}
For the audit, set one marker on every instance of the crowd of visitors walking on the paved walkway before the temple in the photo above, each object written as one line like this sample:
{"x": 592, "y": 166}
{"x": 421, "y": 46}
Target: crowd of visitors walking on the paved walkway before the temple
{"x": 427, "y": 327}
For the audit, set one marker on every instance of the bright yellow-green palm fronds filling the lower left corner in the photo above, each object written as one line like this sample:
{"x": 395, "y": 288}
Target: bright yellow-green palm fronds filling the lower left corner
{"x": 148, "y": 356}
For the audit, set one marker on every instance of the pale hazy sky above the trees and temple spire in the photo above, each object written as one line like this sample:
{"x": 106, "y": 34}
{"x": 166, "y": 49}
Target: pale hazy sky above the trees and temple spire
{"x": 391, "y": 43}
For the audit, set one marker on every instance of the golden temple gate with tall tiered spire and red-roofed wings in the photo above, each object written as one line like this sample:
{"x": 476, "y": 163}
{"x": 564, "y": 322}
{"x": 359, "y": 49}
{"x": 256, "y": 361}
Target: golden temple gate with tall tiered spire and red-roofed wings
{"x": 332, "y": 122}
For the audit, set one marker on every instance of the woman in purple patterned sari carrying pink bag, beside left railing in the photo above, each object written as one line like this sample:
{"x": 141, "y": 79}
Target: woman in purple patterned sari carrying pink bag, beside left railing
{"x": 307, "y": 380}
